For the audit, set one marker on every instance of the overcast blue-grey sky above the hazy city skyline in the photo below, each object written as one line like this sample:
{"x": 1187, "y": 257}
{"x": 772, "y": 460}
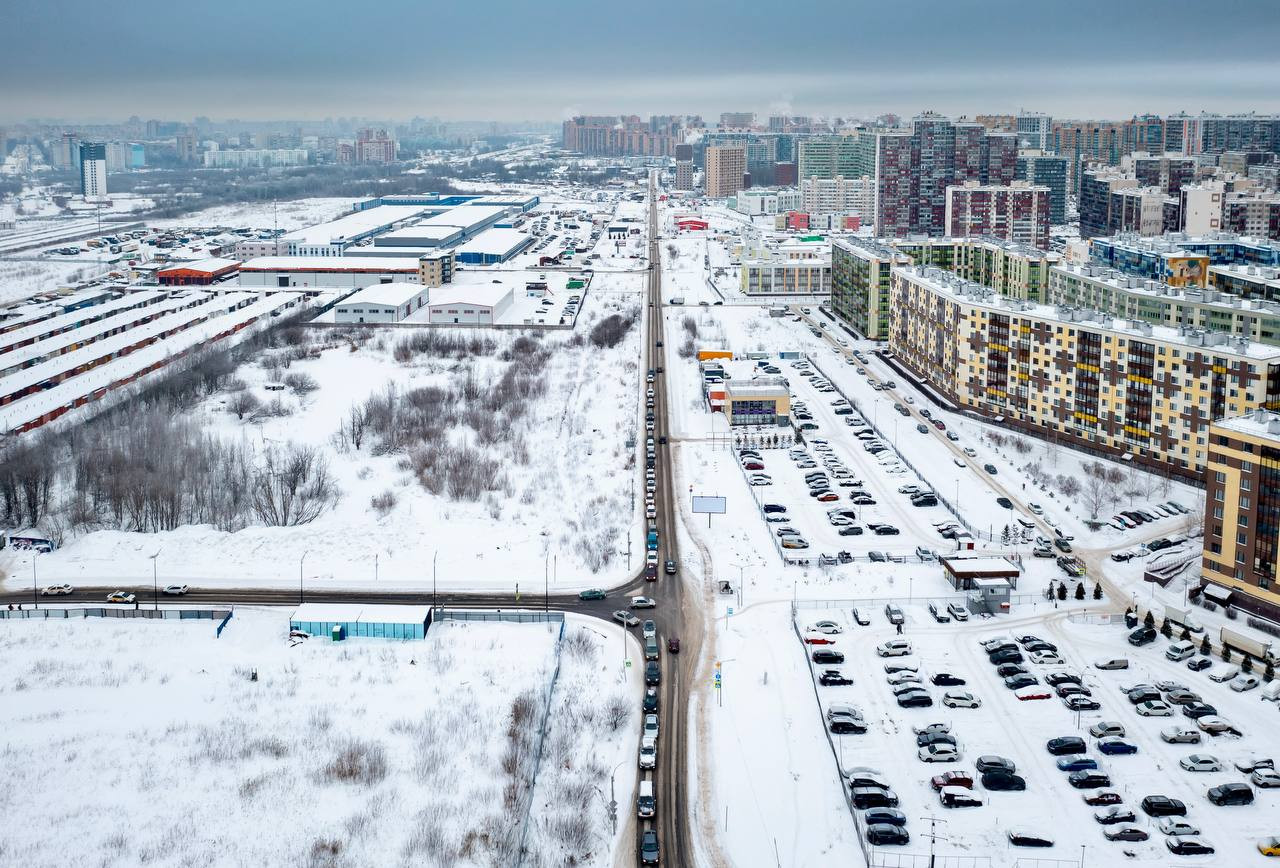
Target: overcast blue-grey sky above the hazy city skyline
{"x": 522, "y": 60}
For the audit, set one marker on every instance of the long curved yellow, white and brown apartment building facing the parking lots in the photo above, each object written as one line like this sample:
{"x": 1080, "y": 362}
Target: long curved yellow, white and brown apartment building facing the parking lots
{"x": 1131, "y": 390}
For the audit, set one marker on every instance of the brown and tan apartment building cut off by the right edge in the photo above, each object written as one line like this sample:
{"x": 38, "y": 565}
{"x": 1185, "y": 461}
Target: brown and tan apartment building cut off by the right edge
{"x": 1242, "y": 513}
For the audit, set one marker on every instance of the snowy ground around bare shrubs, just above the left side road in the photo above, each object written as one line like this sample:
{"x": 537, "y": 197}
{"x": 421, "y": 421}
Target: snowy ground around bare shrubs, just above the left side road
{"x": 564, "y": 501}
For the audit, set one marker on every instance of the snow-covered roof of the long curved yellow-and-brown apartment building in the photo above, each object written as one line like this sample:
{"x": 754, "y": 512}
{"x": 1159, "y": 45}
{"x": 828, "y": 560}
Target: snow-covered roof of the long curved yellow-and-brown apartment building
{"x": 952, "y": 286}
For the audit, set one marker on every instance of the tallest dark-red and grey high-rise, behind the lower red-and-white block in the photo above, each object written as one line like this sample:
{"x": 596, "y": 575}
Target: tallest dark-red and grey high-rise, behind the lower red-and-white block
{"x": 915, "y": 168}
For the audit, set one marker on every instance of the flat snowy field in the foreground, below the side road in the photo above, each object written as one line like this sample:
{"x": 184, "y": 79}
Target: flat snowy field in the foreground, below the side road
{"x": 145, "y": 742}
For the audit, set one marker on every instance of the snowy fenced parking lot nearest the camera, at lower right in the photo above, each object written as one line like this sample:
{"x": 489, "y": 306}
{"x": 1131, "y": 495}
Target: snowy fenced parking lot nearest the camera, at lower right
{"x": 1005, "y": 728}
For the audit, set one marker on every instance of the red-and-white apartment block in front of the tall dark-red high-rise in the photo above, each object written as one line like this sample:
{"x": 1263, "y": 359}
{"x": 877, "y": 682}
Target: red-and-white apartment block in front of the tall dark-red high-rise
{"x": 1016, "y": 212}
